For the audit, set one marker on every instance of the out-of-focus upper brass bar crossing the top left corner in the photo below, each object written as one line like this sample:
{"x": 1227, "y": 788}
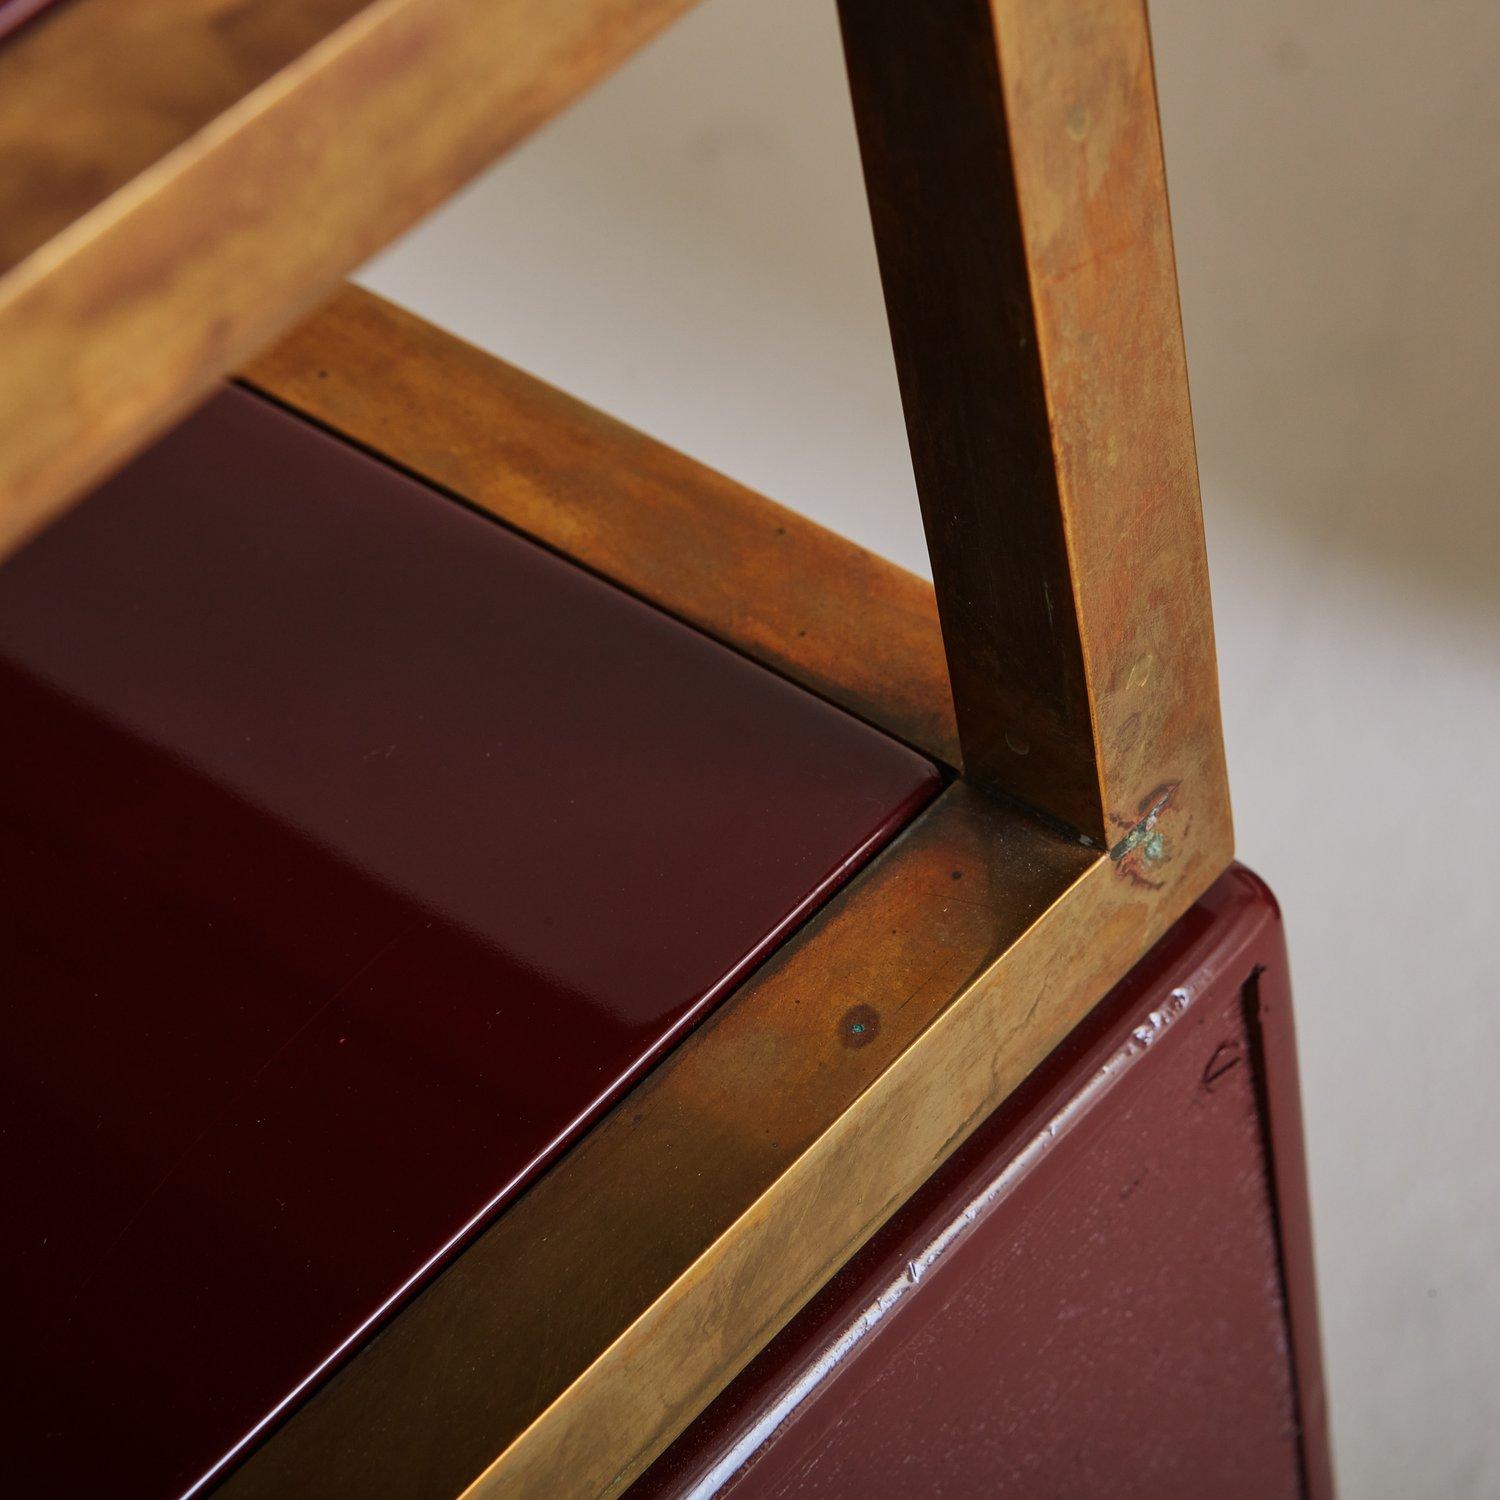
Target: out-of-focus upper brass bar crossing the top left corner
{"x": 184, "y": 179}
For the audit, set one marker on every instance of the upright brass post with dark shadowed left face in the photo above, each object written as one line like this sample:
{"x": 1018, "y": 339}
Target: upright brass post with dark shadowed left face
{"x": 1013, "y": 157}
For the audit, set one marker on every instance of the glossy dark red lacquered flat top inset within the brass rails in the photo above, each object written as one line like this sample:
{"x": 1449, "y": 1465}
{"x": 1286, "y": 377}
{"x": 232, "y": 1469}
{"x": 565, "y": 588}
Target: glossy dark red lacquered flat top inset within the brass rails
{"x": 353, "y": 853}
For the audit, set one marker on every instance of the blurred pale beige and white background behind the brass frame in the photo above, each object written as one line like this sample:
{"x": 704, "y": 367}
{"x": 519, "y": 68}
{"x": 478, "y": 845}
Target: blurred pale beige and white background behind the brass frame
{"x": 689, "y": 250}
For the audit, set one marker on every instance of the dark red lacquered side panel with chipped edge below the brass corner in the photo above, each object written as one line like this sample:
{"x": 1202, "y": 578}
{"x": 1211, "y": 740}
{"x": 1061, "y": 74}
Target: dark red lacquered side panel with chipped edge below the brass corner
{"x": 1129, "y": 1312}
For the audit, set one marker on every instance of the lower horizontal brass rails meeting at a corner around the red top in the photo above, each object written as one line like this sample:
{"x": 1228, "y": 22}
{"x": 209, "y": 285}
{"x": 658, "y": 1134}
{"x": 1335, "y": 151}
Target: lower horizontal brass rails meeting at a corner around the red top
{"x": 599, "y": 1315}
